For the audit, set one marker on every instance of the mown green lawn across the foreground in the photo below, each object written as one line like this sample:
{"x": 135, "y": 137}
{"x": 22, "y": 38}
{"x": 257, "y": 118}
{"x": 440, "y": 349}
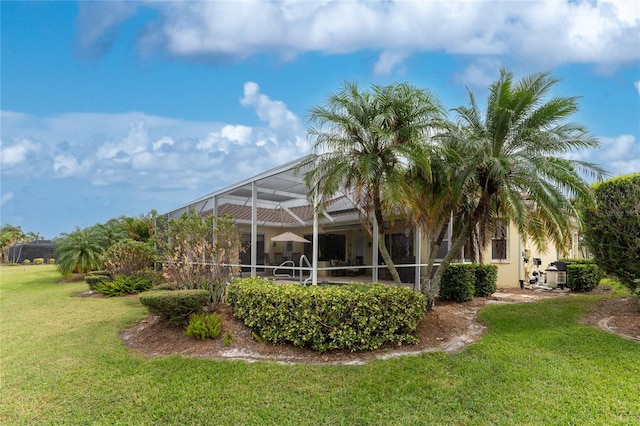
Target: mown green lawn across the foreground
{"x": 62, "y": 363}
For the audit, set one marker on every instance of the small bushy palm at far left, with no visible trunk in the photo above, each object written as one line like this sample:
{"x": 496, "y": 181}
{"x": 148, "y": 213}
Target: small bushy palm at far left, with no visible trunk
{"x": 79, "y": 251}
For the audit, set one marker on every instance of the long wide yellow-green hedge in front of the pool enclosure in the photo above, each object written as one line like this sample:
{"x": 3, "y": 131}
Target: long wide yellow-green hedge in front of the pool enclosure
{"x": 350, "y": 317}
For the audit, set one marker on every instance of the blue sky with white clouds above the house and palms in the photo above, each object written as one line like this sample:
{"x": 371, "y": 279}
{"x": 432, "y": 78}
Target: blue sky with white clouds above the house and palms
{"x": 116, "y": 108}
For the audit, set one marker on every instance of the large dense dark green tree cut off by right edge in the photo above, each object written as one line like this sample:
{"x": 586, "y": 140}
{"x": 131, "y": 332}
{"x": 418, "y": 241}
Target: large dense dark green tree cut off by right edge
{"x": 612, "y": 227}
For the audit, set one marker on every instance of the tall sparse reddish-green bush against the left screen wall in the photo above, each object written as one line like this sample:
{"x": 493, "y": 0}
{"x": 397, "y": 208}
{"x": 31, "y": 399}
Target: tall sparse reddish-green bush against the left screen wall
{"x": 196, "y": 251}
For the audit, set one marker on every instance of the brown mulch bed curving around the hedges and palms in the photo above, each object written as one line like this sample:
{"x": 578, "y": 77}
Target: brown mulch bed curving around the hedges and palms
{"x": 448, "y": 327}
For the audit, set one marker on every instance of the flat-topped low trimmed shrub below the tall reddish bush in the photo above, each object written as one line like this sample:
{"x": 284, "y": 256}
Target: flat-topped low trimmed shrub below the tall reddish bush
{"x": 175, "y": 307}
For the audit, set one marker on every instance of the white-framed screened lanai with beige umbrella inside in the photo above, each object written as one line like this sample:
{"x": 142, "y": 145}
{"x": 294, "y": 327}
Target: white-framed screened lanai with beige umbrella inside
{"x": 276, "y": 201}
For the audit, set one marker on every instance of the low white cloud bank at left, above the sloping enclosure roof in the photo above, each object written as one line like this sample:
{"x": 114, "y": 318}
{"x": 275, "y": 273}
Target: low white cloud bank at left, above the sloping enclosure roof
{"x": 151, "y": 152}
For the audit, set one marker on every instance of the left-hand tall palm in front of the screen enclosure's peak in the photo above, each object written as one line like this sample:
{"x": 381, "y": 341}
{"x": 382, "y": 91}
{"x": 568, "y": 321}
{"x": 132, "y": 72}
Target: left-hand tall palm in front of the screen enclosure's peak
{"x": 365, "y": 141}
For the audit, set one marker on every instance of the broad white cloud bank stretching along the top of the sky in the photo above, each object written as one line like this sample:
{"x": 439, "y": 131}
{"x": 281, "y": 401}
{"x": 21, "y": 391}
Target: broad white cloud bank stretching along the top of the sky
{"x": 546, "y": 32}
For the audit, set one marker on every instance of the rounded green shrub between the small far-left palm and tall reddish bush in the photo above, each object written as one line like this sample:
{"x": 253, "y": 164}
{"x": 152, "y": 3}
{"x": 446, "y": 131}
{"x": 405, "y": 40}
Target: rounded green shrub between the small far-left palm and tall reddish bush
{"x": 129, "y": 257}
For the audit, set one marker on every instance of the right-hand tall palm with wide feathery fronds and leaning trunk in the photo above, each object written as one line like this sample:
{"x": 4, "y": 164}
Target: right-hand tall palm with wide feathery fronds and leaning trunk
{"x": 512, "y": 160}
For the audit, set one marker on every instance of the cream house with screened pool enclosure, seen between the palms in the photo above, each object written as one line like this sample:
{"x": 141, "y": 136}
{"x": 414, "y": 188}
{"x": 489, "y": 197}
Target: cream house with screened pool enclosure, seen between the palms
{"x": 277, "y": 201}
